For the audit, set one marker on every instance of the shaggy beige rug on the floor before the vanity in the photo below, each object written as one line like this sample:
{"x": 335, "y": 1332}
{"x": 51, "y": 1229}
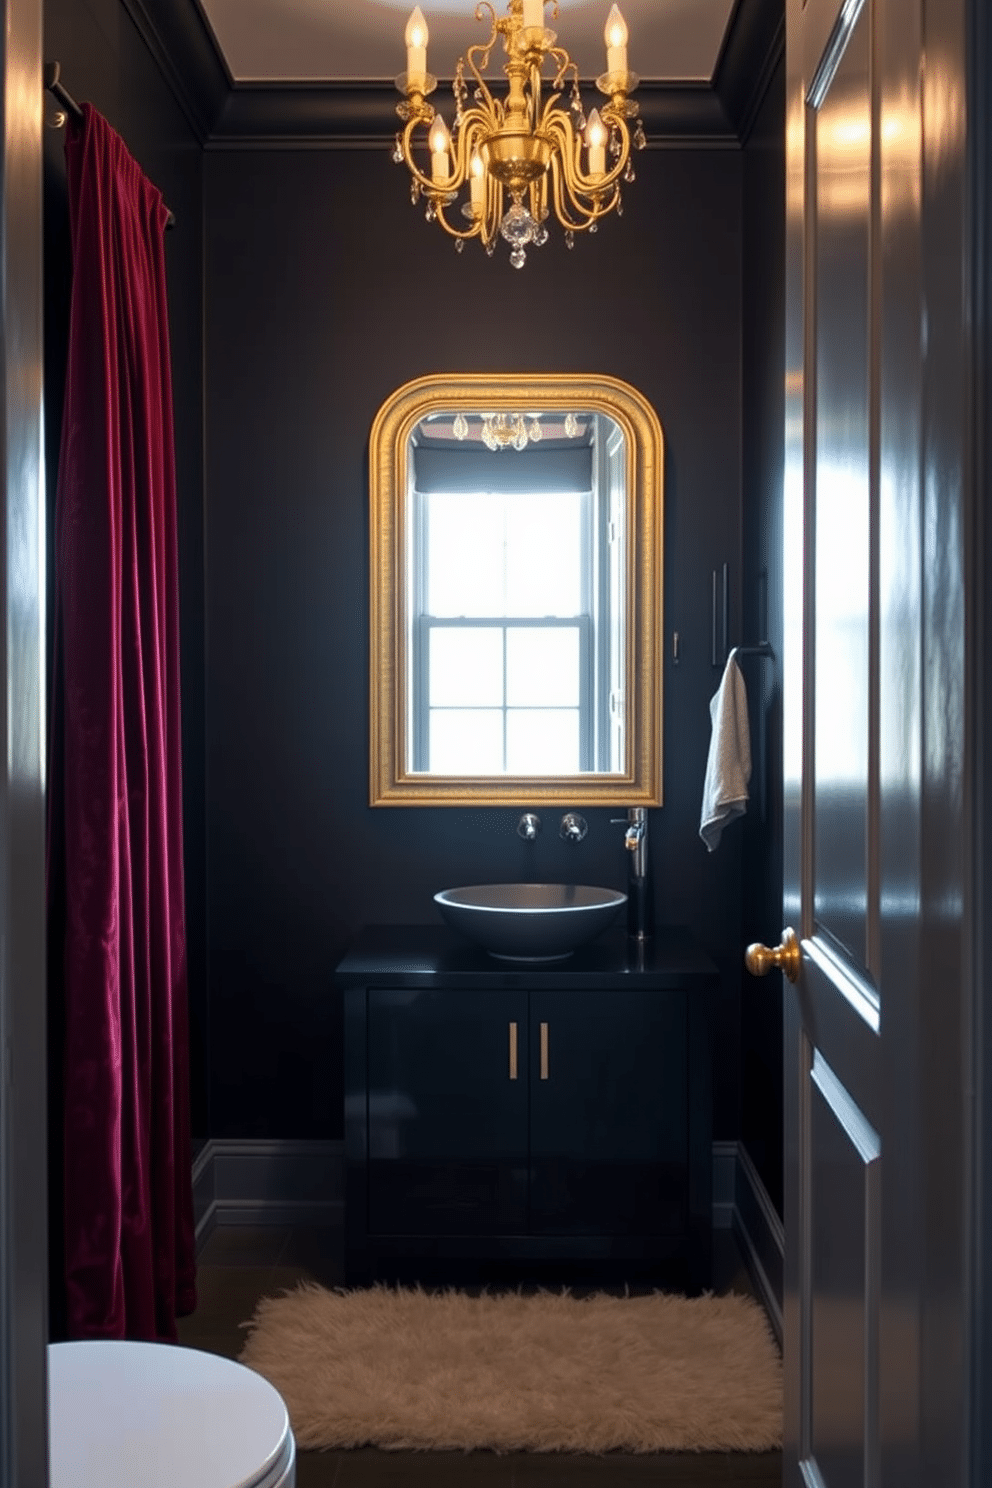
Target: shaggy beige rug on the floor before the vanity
{"x": 511, "y": 1373}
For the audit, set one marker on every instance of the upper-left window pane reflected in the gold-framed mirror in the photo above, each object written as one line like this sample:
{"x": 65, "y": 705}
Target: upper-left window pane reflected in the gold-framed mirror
{"x": 465, "y": 554}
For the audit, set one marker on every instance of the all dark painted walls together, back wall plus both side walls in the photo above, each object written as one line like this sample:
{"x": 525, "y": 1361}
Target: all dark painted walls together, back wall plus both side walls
{"x": 323, "y": 292}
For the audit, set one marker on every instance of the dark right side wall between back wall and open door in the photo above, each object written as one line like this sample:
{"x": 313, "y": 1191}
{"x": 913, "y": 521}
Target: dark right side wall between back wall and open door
{"x": 764, "y": 346}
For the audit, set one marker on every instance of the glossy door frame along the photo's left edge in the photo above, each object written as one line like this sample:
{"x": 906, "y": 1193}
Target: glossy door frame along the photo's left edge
{"x": 23, "y": 709}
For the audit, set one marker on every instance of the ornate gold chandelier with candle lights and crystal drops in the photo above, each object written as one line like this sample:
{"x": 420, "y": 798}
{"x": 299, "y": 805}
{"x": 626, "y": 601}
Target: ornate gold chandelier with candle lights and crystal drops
{"x": 524, "y": 148}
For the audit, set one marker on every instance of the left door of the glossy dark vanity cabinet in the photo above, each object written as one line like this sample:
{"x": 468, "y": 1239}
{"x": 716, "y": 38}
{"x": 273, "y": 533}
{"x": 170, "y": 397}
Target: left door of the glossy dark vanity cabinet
{"x": 447, "y": 1112}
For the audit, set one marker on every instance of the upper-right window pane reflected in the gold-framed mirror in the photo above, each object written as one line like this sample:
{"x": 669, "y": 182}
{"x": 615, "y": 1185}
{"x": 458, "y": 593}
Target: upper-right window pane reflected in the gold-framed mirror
{"x": 544, "y": 554}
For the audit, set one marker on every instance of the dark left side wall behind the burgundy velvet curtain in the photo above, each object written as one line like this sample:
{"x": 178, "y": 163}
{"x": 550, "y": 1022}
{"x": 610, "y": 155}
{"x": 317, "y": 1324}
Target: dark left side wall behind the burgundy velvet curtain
{"x": 105, "y": 62}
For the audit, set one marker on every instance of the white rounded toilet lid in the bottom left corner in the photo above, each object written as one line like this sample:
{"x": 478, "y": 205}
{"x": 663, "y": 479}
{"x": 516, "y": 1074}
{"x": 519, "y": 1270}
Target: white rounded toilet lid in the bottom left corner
{"x": 157, "y": 1416}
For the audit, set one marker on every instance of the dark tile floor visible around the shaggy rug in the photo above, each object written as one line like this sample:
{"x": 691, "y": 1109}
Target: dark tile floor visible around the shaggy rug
{"x": 240, "y": 1264}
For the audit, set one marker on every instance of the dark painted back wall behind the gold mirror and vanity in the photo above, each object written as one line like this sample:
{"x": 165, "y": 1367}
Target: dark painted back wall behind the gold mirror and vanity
{"x": 325, "y": 291}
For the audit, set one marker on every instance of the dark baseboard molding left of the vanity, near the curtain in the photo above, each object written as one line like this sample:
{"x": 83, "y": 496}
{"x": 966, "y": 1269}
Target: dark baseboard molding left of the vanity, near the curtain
{"x": 268, "y": 1184}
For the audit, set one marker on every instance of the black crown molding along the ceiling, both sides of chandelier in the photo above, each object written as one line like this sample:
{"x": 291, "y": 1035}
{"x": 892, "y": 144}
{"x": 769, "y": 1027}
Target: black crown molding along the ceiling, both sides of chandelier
{"x": 227, "y": 115}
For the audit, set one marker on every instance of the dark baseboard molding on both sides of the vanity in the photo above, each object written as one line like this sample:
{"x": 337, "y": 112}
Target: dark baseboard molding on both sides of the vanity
{"x": 282, "y": 1182}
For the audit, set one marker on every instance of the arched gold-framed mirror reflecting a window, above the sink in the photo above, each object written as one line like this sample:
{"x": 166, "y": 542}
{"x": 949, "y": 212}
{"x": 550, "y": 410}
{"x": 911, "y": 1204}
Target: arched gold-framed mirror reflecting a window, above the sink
{"x": 515, "y": 547}
